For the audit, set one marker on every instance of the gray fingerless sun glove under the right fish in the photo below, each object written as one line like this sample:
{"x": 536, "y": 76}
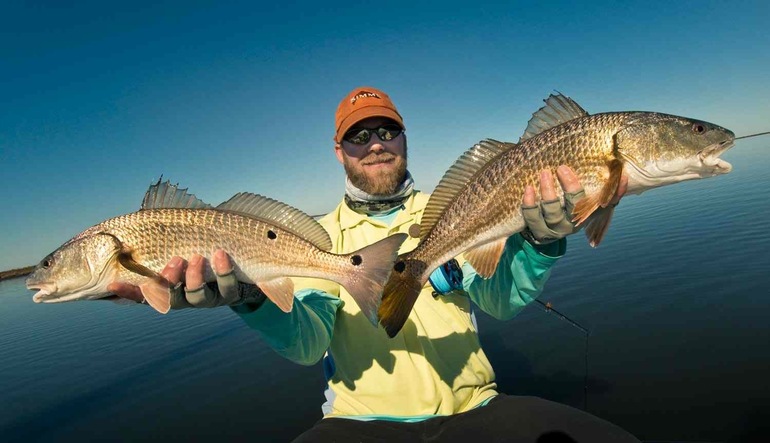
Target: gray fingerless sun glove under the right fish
{"x": 548, "y": 221}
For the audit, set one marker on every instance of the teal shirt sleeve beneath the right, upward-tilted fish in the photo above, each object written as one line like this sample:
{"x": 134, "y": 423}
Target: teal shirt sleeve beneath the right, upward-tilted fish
{"x": 518, "y": 280}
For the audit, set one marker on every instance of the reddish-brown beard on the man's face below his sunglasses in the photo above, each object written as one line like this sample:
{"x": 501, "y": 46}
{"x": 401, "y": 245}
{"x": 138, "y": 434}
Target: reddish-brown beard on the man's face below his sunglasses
{"x": 380, "y": 182}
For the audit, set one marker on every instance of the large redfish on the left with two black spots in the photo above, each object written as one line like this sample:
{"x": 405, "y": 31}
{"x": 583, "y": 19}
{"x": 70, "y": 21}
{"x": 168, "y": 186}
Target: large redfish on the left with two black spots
{"x": 267, "y": 240}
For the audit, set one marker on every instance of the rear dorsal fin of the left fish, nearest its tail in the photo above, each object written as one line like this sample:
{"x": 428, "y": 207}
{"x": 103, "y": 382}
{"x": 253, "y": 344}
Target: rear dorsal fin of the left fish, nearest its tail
{"x": 280, "y": 215}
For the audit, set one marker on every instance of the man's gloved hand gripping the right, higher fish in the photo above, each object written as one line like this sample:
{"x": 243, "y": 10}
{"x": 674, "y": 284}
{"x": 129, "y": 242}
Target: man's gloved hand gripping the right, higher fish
{"x": 547, "y": 220}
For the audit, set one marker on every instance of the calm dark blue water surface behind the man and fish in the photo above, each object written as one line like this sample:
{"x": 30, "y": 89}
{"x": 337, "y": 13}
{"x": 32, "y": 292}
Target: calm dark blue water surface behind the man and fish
{"x": 676, "y": 299}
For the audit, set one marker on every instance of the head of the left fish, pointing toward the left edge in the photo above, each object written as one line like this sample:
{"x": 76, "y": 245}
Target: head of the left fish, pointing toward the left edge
{"x": 80, "y": 269}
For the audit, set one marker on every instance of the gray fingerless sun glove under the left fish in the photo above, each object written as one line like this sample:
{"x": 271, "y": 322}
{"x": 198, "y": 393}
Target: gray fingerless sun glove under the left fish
{"x": 227, "y": 291}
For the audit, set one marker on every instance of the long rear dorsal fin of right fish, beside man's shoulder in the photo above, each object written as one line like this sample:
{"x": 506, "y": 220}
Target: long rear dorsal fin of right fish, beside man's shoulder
{"x": 456, "y": 179}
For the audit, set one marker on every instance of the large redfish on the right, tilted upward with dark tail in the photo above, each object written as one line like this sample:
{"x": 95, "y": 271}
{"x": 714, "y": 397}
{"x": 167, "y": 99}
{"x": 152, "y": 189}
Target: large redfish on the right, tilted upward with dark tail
{"x": 477, "y": 204}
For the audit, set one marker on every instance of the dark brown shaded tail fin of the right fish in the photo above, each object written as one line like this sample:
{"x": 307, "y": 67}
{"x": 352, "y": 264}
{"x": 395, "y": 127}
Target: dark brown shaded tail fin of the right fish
{"x": 401, "y": 292}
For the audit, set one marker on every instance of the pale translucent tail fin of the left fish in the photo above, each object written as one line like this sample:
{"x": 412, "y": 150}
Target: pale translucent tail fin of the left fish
{"x": 372, "y": 267}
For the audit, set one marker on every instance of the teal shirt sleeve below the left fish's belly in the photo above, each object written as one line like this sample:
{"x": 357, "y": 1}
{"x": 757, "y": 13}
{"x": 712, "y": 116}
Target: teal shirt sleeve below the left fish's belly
{"x": 302, "y": 335}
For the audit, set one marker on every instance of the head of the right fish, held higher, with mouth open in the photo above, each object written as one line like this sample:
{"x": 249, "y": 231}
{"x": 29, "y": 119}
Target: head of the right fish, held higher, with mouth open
{"x": 661, "y": 149}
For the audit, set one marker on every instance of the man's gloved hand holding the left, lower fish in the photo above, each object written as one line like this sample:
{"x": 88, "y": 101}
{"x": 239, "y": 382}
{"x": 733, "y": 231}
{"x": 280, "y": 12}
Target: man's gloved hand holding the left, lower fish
{"x": 188, "y": 288}
